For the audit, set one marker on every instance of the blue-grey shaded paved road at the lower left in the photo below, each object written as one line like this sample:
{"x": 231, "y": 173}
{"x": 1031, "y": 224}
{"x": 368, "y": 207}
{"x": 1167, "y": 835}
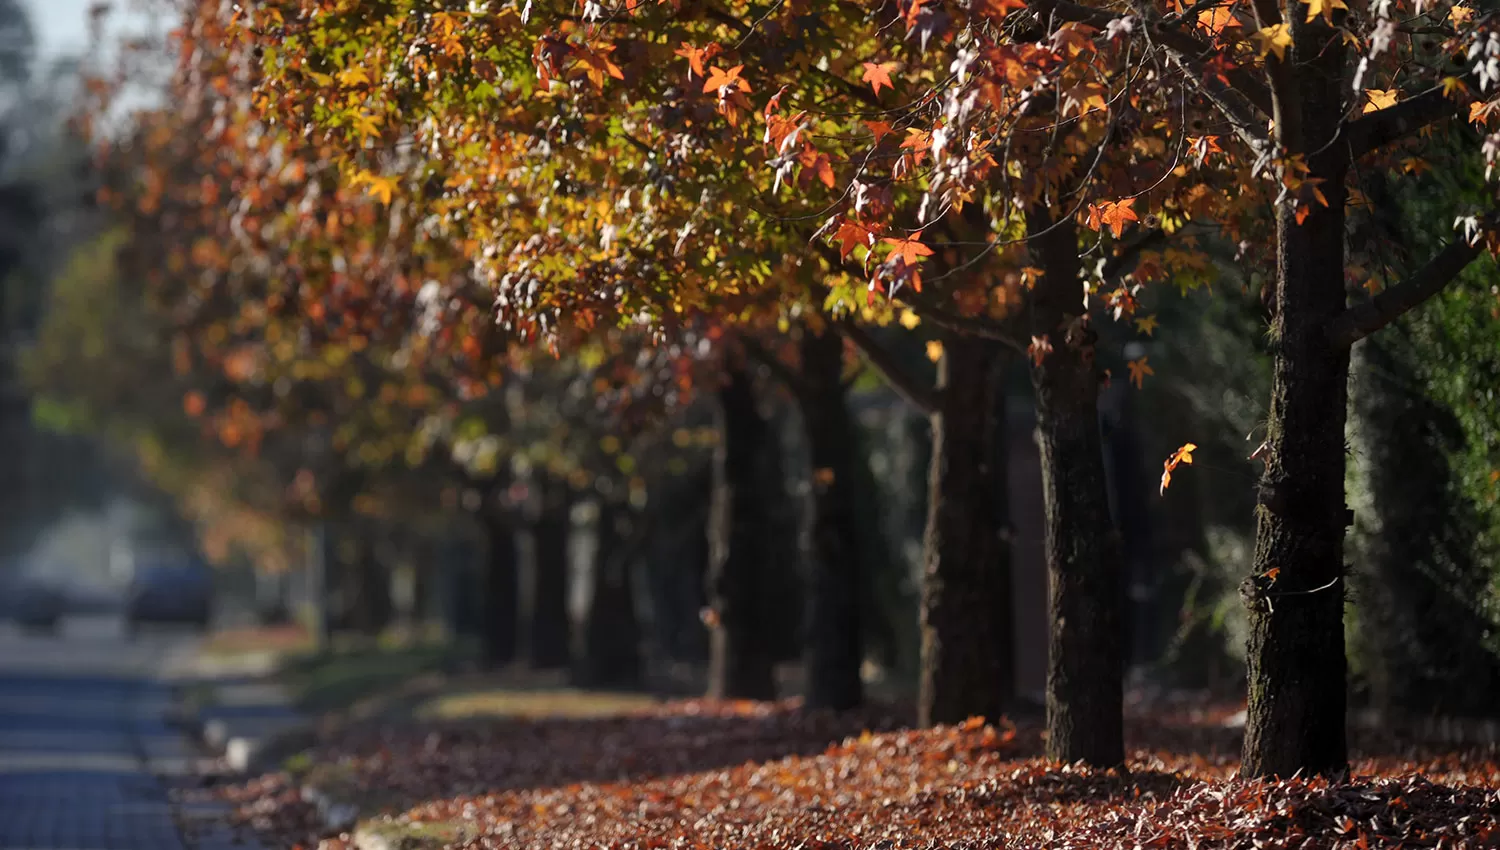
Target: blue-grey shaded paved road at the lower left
{"x": 88, "y": 747}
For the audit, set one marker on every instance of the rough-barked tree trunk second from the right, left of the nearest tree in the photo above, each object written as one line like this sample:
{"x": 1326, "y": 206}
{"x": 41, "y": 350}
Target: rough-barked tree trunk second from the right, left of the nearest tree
{"x": 1085, "y": 671}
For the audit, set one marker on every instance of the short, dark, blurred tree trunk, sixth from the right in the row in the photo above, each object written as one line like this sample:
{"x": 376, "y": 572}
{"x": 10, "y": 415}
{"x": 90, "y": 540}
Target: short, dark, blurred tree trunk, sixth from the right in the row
{"x": 611, "y": 630}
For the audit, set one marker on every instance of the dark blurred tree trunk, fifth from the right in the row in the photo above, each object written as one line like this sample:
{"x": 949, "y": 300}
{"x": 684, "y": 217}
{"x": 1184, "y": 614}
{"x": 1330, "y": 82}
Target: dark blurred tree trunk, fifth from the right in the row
{"x": 740, "y": 657}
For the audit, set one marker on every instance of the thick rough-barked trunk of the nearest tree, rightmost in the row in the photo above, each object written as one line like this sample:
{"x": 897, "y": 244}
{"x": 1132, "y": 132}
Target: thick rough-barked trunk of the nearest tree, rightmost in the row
{"x": 1297, "y": 666}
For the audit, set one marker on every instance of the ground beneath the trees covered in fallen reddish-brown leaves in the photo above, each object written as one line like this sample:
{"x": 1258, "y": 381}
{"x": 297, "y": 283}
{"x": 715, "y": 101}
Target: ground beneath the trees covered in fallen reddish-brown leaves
{"x": 701, "y": 776}
